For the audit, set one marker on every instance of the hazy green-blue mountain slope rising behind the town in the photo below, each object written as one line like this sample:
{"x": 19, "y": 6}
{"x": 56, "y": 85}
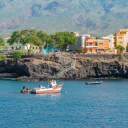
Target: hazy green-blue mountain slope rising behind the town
{"x": 98, "y": 17}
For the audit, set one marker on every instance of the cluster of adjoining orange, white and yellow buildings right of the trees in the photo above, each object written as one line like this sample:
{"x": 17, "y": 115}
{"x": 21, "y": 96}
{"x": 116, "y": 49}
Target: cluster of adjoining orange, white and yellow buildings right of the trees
{"x": 105, "y": 44}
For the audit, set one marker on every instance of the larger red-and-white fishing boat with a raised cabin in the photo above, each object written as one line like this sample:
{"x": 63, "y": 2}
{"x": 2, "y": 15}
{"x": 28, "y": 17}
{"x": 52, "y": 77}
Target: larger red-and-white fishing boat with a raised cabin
{"x": 52, "y": 88}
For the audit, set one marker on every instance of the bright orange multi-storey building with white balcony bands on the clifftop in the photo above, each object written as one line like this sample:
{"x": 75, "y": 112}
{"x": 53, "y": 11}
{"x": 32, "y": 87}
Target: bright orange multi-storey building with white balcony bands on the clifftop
{"x": 93, "y": 45}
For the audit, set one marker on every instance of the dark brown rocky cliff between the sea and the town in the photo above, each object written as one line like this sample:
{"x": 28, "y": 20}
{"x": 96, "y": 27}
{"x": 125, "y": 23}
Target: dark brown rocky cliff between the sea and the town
{"x": 61, "y": 66}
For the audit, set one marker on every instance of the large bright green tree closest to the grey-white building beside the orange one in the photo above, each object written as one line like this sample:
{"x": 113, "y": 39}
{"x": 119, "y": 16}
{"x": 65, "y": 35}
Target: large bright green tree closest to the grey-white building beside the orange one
{"x": 63, "y": 39}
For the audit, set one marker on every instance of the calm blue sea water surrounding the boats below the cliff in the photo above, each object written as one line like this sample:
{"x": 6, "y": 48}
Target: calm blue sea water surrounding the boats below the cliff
{"x": 83, "y": 106}
